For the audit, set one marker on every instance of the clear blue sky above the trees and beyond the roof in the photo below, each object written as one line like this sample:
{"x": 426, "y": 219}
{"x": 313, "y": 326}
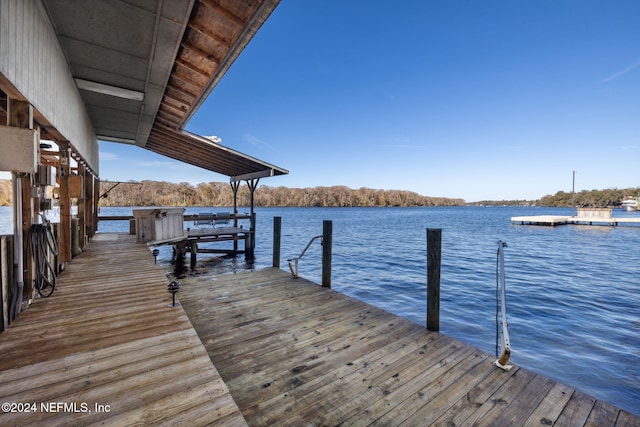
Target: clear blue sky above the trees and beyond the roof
{"x": 467, "y": 99}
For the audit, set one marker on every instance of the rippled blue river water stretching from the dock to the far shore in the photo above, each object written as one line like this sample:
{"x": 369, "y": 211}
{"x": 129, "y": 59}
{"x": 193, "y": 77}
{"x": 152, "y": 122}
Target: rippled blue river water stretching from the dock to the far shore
{"x": 573, "y": 292}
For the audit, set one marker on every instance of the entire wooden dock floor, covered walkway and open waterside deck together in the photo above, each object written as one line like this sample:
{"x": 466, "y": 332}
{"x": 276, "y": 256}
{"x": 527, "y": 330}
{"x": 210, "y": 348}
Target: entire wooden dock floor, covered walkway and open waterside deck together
{"x": 286, "y": 352}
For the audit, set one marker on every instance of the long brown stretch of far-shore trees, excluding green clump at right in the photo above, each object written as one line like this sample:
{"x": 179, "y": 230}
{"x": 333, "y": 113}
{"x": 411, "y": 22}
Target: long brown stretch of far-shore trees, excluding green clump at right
{"x": 153, "y": 193}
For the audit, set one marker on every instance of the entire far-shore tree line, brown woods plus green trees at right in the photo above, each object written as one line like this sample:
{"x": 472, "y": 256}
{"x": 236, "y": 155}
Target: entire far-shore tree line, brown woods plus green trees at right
{"x": 155, "y": 193}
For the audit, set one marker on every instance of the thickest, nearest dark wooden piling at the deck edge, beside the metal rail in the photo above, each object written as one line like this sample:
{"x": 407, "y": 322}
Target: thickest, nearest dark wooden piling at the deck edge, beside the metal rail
{"x": 434, "y": 251}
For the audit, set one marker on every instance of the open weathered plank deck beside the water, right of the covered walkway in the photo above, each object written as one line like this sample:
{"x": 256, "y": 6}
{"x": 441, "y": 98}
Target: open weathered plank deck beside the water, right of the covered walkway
{"x": 295, "y": 353}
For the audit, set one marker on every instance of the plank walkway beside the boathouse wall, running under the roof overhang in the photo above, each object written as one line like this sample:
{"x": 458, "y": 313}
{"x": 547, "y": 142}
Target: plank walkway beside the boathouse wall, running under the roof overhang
{"x": 107, "y": 346}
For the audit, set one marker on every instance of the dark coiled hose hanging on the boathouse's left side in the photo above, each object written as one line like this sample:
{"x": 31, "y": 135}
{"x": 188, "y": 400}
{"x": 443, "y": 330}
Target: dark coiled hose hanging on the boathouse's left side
{"x": 43, "y": 245}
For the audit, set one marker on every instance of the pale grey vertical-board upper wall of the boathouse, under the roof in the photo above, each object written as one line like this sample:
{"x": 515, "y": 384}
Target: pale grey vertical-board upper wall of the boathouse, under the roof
{"x": 33, "y": 61}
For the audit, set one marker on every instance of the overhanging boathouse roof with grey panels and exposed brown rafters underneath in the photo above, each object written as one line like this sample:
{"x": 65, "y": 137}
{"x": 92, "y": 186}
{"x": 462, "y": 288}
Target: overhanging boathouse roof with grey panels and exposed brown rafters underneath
{"x": 143, "y": 67}
